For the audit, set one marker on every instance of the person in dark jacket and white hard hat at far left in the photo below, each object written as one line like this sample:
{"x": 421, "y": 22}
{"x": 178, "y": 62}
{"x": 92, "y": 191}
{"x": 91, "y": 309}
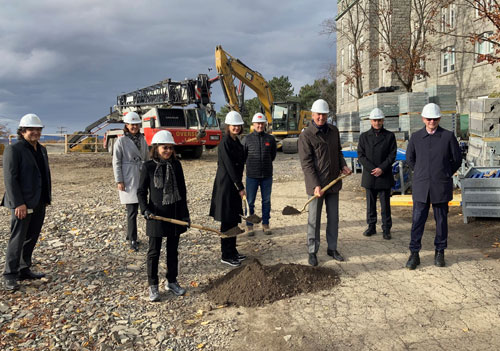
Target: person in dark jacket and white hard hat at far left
{"x": 27, "y": 193}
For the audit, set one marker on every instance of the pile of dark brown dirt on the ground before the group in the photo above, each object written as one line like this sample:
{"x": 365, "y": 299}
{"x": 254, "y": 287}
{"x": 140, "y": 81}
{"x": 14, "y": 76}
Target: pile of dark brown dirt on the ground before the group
{"x": 254, "y": 284}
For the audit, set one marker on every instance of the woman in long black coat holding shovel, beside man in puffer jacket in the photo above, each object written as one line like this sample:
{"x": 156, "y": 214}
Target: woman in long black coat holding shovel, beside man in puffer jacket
{"x": 228, "y": 190}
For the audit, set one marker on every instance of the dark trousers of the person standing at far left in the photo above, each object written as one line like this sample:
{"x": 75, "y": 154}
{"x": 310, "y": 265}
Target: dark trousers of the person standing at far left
{"x": 24, "y": 235}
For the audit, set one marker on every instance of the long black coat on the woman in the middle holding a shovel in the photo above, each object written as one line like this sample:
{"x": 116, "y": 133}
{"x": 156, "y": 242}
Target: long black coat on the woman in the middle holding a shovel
{"x": 226, "y": 201}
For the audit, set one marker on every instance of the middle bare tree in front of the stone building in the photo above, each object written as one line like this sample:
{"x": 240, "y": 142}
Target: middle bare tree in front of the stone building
{"x": 404, "y": 29}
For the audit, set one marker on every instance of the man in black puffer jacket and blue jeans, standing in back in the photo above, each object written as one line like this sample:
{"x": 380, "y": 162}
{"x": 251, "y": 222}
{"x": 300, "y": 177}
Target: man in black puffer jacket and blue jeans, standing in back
{"x": 260, "y": 152}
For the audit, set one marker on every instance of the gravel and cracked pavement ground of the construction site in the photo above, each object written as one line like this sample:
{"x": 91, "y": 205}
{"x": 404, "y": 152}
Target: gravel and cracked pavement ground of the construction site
{"x": 95, "y": 294}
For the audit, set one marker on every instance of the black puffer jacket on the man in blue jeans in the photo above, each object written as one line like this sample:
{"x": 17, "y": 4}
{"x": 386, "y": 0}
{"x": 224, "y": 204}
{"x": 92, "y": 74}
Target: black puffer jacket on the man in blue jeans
{"x": 260, "y": 152}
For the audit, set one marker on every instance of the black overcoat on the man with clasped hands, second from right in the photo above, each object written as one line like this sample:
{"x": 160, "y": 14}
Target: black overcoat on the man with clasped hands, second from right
{"x": 377, "y": 151}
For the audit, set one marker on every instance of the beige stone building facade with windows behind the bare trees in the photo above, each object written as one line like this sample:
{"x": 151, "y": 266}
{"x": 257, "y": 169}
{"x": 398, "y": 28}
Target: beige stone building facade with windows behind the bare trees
{"x": 453, "y": 61}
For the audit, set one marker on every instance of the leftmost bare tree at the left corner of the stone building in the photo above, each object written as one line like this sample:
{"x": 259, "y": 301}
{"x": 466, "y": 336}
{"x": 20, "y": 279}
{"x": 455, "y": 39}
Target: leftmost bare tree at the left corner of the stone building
{"x": 351, "y": 25}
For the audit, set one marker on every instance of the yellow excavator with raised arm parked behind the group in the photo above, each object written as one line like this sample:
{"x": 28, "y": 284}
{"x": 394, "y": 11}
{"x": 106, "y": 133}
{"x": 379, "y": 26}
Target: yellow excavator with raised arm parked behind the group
{"x": 285, "y": 119}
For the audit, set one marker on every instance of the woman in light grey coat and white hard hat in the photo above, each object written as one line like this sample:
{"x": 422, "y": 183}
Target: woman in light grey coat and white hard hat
{"x": 129, "y": 153}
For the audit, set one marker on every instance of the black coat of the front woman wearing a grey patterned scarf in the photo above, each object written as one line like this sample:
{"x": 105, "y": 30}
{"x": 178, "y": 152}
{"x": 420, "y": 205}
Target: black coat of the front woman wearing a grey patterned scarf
{"x": 150, "y": 198}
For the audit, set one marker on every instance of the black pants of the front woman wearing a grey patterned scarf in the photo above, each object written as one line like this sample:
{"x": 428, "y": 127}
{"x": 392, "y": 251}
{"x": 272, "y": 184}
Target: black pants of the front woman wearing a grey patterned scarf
{"x": 153, "y": 258}
